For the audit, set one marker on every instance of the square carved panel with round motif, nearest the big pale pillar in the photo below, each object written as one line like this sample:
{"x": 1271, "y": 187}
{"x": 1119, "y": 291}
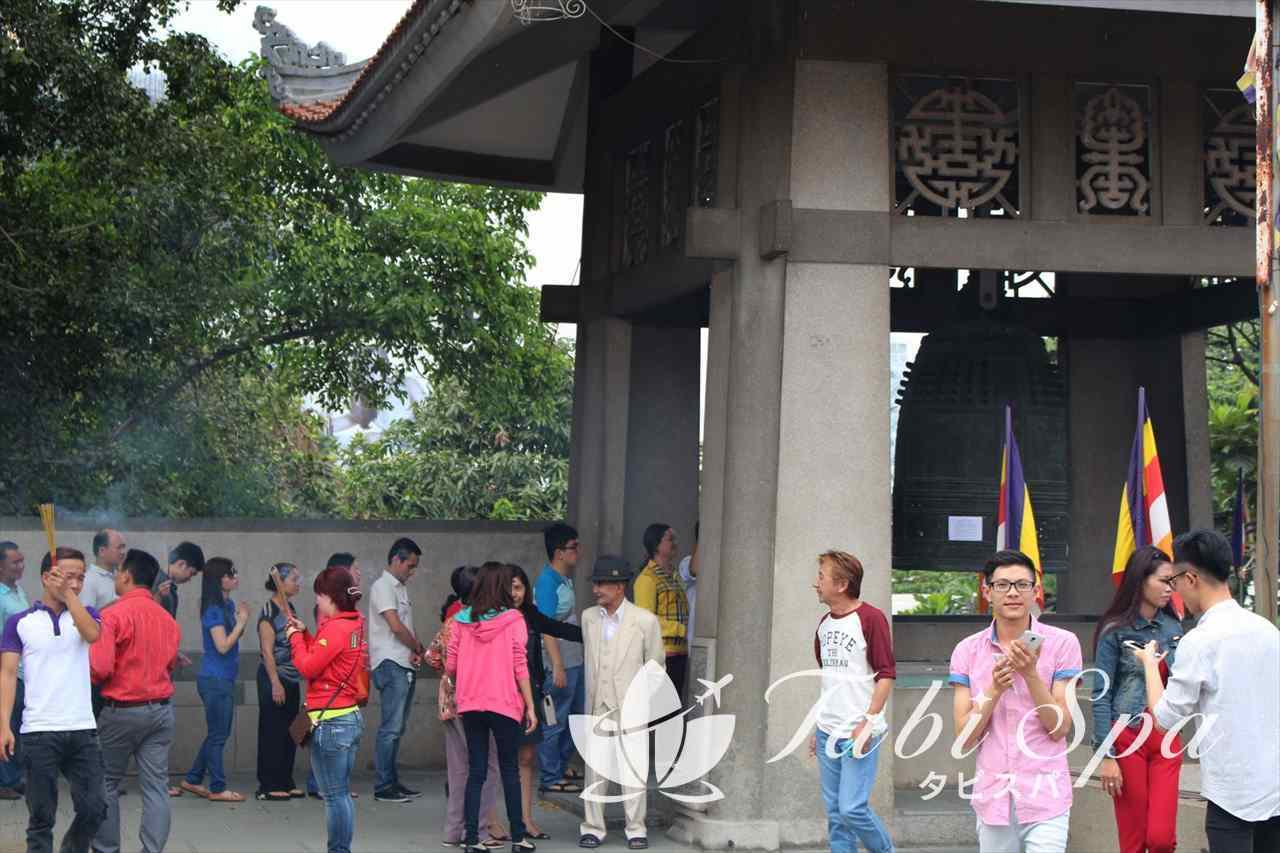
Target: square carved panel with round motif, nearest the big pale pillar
{"x": 957, "y": 144}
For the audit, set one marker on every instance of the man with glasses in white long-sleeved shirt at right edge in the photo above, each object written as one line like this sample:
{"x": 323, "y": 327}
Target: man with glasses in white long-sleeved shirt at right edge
{"x": 1227, "y": 670}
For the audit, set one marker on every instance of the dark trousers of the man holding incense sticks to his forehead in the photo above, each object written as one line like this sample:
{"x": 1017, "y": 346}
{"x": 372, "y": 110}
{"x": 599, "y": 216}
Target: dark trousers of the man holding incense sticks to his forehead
{"x": 77, "y": 756}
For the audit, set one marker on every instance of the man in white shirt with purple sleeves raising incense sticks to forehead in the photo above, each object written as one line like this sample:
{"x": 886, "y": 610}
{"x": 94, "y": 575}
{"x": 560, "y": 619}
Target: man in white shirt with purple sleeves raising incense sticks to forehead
{"x": 52, "y": 641}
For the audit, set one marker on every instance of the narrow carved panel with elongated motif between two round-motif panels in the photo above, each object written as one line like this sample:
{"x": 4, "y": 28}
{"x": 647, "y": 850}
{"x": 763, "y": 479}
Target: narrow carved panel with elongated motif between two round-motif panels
{"x": 1113, "y": 149}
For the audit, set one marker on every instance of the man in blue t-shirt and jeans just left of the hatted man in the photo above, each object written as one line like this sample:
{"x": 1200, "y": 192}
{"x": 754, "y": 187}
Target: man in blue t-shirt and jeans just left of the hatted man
{"x": 555, "y": 597}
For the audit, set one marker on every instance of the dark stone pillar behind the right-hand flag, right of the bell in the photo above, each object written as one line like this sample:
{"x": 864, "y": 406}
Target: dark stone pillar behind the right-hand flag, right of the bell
{"x": 1104, "y": 376}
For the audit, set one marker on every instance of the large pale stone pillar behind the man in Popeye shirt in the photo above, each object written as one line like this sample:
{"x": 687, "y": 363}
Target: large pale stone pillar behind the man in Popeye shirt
{"x": 807, "y": 440}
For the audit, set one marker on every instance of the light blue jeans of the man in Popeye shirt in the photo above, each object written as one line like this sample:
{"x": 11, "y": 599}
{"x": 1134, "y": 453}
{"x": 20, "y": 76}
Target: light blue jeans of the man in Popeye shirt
{"x": 847, "y": 788}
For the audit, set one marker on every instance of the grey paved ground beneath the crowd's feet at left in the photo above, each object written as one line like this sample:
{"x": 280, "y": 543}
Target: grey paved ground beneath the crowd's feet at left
{"x": 299, "y": 825}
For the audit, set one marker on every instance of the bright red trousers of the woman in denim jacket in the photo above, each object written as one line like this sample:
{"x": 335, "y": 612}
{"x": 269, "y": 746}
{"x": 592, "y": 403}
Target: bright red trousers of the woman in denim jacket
{"x": 1148, "y": 806}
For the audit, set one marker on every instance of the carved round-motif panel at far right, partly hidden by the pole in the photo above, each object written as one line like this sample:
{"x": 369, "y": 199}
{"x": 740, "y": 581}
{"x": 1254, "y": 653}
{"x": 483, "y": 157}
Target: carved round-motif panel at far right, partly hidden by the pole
{"x": 1231, "y": 158}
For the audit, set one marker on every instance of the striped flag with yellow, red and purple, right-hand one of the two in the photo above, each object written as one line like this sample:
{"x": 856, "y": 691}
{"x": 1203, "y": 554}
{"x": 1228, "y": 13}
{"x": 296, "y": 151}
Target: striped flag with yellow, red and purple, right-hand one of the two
{"x": 1144, "y": 507}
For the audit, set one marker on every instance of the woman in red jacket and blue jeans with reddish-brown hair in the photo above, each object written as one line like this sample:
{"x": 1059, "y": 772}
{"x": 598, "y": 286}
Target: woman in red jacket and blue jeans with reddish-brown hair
{"x": 332, "y": 663}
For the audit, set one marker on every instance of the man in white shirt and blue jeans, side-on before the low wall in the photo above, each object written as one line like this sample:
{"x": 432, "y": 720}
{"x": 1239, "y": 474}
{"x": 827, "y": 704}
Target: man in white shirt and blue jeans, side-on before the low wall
{"x": 395, "y": 654}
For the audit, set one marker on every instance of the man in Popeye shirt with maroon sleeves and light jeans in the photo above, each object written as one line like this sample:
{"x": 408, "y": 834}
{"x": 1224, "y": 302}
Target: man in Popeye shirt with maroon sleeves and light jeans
{"x": 856, "y": 653}
